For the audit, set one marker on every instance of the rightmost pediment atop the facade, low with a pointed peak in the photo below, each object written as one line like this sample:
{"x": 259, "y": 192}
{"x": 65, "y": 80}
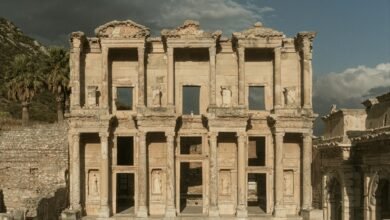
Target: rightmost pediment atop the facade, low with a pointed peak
{"x": 257, "y": 31}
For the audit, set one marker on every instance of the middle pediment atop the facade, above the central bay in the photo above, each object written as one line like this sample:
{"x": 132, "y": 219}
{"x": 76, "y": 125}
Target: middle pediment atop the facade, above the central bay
{"x": 190, "y": 29}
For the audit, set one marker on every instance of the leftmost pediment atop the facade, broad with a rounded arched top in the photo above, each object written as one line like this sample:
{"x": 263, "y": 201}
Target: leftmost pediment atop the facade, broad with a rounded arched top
{"x": 122, "y": 29}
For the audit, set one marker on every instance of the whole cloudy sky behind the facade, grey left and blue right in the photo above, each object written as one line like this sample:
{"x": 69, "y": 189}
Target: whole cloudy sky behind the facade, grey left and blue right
{"x": 351, "y": 53}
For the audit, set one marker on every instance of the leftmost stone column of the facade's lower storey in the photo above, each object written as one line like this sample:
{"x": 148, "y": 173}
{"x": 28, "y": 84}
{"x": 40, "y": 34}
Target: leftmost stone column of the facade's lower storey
{"x": 76, "y": 205}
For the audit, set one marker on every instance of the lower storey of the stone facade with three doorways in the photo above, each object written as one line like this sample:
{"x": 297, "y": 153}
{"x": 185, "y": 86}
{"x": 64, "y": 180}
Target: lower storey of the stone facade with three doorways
{"x": 197, "y": 172}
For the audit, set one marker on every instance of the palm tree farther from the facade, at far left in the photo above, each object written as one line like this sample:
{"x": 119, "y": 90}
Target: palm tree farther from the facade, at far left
{"x": 23, "y": 82}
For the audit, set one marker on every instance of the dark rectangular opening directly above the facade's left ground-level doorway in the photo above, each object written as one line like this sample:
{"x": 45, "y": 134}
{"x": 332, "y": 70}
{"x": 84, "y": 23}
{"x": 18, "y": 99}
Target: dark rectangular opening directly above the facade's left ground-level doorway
{"x": 125, "y": 151}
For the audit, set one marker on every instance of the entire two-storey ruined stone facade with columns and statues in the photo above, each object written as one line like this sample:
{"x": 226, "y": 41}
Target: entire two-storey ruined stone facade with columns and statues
{"x": 190, "y": 123}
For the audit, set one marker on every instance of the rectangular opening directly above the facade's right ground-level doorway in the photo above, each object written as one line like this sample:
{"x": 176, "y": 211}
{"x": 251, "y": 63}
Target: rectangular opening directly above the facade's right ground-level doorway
{"x": 256, "y": 151}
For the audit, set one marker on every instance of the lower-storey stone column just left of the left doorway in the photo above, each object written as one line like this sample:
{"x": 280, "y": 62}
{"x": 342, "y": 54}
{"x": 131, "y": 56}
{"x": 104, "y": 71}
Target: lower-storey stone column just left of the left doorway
{"x": 104, "y": 176}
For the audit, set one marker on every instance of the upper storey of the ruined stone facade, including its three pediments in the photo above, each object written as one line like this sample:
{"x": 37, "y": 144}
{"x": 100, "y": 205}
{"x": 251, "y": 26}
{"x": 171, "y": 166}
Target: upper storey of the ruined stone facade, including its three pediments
{"x": 188, "y": 71}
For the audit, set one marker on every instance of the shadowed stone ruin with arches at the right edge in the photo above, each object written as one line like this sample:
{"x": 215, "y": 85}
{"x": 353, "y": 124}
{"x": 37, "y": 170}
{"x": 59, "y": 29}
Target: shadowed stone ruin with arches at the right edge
{"x": 355, "y": 162}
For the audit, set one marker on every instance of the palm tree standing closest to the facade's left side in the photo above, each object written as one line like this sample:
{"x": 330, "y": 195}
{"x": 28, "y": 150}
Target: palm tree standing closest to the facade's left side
{"x": 56, "y": 68}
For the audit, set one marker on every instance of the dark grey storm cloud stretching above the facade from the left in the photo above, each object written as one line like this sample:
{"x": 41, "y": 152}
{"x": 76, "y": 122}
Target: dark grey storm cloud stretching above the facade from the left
{"x": 51, "y": 21}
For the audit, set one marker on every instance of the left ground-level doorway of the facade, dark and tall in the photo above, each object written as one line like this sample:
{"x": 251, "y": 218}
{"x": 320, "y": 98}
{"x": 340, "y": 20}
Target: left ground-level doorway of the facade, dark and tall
{"x": 125, "y": 193}
